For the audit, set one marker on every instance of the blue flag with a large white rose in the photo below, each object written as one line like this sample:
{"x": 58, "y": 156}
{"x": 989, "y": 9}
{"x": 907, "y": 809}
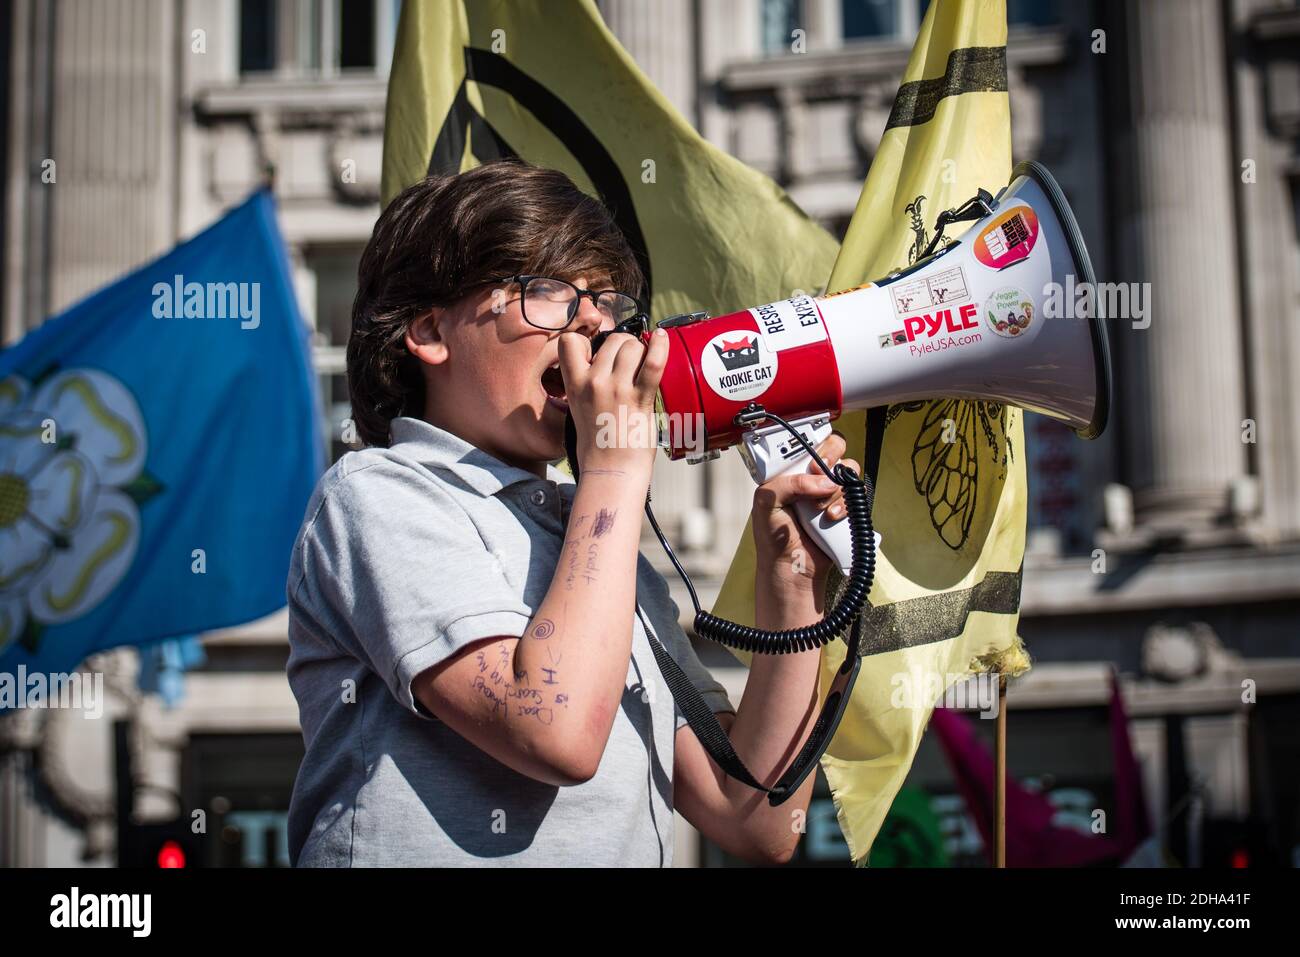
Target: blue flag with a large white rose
{"x": 159, "y": 443}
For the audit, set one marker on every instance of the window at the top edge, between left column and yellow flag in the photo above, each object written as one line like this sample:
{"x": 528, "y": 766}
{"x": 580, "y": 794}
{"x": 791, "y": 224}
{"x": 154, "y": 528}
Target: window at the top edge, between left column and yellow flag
{"x": 318, "y": 38}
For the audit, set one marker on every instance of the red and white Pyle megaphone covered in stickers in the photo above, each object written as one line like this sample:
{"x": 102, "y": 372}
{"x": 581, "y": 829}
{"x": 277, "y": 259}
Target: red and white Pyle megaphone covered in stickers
{"x": 968, "y": 321}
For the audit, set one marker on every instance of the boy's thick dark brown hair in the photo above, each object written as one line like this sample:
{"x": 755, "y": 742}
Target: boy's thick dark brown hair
{"x": 448, "y": 235}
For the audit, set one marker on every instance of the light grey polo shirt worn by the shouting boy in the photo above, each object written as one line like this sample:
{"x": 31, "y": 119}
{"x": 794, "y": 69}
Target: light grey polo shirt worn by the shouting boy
{"x": 408, "y": 556}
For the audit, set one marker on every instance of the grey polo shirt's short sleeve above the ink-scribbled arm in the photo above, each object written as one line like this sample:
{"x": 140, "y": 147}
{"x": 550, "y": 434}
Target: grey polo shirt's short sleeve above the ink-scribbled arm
{"x": 404, "y": 577}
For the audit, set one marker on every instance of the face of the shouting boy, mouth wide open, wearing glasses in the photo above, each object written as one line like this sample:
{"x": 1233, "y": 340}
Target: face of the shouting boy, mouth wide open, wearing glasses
{"x": 493, "y": 379}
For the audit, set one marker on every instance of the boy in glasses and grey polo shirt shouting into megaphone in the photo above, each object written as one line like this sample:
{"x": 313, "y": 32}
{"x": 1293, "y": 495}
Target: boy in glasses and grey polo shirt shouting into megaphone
{"x": 467, "y": 625}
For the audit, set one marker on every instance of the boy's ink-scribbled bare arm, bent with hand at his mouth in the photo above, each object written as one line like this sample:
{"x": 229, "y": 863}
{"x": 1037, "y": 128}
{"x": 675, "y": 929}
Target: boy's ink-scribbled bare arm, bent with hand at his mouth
{"x": 545, "y": 704}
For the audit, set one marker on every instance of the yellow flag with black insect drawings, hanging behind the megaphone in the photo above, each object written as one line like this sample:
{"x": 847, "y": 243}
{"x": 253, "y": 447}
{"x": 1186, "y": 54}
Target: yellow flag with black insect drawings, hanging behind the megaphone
{"x": 951, "y": 487}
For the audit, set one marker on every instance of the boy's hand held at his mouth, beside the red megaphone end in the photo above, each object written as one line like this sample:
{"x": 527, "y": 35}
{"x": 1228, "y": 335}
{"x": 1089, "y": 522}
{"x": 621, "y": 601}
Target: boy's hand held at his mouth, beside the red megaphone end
{"x": 612, "y": 400}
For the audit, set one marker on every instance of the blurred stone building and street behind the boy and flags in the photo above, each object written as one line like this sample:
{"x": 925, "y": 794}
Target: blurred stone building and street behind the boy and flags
{"x": 1168, "y": 551}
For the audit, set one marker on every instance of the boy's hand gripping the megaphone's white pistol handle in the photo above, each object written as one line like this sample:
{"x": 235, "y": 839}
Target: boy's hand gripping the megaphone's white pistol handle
{"x": 787, "y": 557}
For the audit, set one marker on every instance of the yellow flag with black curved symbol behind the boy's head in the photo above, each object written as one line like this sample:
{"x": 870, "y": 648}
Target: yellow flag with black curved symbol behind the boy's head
{"x": 551, "y": 84}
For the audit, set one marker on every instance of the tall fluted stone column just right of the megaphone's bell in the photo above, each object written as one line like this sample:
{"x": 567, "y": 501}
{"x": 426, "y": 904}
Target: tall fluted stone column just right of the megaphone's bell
{"x": 1180, "y": 404}
